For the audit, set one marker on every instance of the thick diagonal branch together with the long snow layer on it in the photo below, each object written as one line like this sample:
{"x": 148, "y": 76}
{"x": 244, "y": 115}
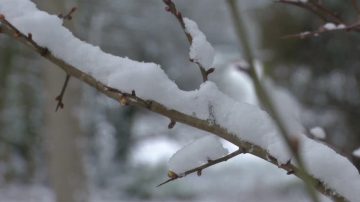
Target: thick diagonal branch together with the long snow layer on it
{"x": 146, "y": 85}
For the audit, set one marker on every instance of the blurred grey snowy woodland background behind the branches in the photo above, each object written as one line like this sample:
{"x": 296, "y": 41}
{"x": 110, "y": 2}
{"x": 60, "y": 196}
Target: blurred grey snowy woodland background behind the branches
{"x": 96, "y": 150}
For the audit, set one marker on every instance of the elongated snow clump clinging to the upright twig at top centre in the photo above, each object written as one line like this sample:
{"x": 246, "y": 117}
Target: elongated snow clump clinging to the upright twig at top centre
{"x": 201, "y": 50}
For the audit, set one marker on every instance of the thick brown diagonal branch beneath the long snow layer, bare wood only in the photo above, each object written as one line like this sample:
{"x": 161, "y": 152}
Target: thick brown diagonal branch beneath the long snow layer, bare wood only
{"x": 133, "y": 100}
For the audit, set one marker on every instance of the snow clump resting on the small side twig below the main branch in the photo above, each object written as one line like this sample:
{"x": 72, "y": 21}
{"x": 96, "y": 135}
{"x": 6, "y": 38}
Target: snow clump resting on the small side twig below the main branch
{"x": 196, "y": 154}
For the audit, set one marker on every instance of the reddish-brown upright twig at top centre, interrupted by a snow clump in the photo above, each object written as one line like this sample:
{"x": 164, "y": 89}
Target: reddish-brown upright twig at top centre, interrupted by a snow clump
{"x": 171, "y": 8}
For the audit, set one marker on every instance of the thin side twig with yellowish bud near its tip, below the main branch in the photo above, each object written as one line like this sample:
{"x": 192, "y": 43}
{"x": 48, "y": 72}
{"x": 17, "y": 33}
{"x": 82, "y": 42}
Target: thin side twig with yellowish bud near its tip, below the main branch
{"x": 174, "y": 176}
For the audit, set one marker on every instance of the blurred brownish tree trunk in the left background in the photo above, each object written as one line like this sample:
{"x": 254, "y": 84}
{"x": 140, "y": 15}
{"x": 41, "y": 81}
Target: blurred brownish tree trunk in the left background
{"x": 62, "y": 132}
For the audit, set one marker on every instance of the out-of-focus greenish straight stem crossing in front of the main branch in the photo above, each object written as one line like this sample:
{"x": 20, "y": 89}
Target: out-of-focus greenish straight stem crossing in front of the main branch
{"x": 265, "y": 99}
